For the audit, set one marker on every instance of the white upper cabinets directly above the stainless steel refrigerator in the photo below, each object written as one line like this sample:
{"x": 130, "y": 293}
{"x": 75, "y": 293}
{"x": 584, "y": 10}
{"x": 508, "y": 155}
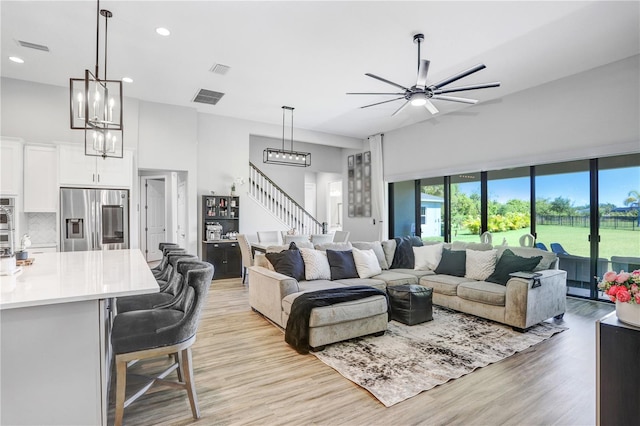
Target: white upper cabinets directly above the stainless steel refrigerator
{"x": 83, "y": 170}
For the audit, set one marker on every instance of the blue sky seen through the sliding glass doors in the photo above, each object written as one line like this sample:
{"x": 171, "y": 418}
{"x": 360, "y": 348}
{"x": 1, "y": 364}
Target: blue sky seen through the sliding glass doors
{"x": 614, "y": 185}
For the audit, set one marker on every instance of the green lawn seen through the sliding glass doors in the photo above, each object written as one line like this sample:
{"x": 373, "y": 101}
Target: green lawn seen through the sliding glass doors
{"x": 613, "y": 242}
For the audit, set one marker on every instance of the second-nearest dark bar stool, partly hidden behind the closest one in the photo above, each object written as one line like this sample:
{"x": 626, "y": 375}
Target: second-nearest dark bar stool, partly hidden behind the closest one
{"x": 168, "y": 296}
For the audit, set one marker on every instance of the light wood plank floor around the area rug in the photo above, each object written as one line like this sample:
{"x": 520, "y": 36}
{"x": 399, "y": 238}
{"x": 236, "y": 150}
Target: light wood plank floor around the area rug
{"x": 246, "y": 374}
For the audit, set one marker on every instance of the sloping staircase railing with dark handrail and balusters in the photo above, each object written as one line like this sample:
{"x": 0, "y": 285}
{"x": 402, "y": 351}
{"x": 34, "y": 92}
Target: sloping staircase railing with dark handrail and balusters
{"x": 264, "y": 191}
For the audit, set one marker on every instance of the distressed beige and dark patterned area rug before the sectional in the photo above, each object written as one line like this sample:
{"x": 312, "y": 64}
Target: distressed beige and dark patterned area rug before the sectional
{"x": 410, "y": 359}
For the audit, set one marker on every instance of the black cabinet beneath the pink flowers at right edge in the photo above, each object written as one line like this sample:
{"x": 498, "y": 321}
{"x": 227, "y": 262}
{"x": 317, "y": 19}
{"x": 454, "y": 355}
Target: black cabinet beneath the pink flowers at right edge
{"x": 617, "y": 378}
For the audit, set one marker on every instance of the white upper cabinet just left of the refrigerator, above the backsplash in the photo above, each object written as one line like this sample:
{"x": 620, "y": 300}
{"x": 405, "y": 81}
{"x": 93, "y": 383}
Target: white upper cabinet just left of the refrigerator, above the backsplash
{"x": 40, "y": 178}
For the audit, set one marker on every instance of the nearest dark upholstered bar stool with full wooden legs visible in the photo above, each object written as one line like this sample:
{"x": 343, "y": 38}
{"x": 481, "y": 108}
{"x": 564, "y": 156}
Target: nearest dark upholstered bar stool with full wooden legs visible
{"x": 152, "y": 333}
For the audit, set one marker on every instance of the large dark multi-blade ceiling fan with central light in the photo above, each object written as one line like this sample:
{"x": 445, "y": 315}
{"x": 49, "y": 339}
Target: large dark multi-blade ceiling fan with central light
{"x": 421, "y": 95}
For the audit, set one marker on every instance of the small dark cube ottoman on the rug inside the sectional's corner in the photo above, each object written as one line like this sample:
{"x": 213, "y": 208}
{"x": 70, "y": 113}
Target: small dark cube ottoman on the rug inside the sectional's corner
{"x": 411, "y": 303}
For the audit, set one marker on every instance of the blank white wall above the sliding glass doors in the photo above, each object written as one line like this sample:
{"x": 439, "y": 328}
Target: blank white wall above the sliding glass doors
{"x": 587, "y": 115}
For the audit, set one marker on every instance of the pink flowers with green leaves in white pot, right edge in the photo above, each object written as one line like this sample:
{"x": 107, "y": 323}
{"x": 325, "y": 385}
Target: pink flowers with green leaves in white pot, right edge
{"x": 624, "y": 289}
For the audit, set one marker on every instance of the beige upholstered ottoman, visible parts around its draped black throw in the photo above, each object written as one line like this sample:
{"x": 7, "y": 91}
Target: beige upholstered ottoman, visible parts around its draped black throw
{"x": 342, "y": 321}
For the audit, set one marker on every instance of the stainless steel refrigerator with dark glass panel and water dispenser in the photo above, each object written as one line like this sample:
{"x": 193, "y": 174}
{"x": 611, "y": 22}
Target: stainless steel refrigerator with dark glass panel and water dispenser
{"x": 94, "y": 219}
